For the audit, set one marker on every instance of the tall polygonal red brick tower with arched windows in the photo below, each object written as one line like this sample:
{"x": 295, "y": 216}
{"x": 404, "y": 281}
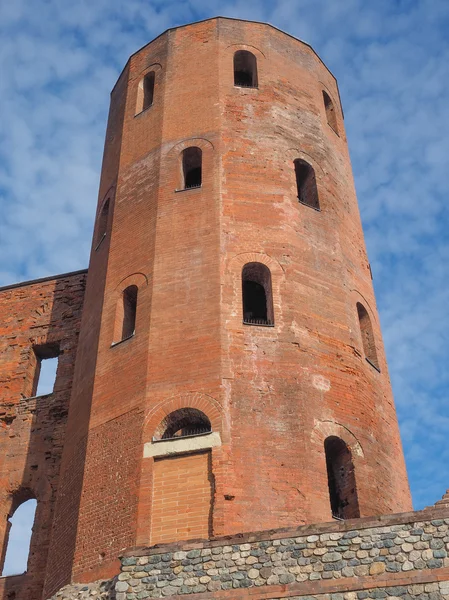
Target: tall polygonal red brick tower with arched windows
{"x": 230, "y": 373}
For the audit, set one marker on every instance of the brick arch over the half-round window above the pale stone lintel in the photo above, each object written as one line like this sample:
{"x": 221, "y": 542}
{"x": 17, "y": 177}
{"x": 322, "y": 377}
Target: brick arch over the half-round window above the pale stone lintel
{"x": 196, "y": 400}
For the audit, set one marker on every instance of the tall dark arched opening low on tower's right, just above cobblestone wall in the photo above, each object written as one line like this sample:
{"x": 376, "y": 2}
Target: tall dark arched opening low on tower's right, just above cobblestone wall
{"x": 341, "y": 479}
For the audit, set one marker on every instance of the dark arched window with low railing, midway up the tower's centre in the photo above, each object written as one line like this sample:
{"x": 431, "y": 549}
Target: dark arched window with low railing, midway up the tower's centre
{"x": 257, "y": 295}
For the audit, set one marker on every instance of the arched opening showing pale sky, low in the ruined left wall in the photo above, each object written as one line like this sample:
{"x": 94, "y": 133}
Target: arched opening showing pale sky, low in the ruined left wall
{"x": 18, "y": 535}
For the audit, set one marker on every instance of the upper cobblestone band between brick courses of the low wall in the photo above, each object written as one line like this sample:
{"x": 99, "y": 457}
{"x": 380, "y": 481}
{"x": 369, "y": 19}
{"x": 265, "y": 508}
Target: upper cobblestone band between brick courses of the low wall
{"x": 357, "y": 553}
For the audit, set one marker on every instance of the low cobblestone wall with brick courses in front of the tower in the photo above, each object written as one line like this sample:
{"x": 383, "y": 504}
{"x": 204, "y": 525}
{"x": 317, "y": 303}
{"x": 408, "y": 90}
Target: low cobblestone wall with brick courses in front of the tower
{"x": 393, "y": 556}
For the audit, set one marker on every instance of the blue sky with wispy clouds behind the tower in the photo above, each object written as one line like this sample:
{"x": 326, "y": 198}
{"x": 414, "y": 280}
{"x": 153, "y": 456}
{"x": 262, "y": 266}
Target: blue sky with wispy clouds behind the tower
{"x": 59, "y": 61}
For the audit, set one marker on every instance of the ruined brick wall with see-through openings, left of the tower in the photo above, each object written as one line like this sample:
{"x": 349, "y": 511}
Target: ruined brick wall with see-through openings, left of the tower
{"x": 33, "y": 428}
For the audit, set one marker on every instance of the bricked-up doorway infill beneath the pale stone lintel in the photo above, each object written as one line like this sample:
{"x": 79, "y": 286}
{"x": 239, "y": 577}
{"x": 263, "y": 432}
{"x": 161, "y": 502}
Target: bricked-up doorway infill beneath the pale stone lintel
{"x": 182, "y": 498}
